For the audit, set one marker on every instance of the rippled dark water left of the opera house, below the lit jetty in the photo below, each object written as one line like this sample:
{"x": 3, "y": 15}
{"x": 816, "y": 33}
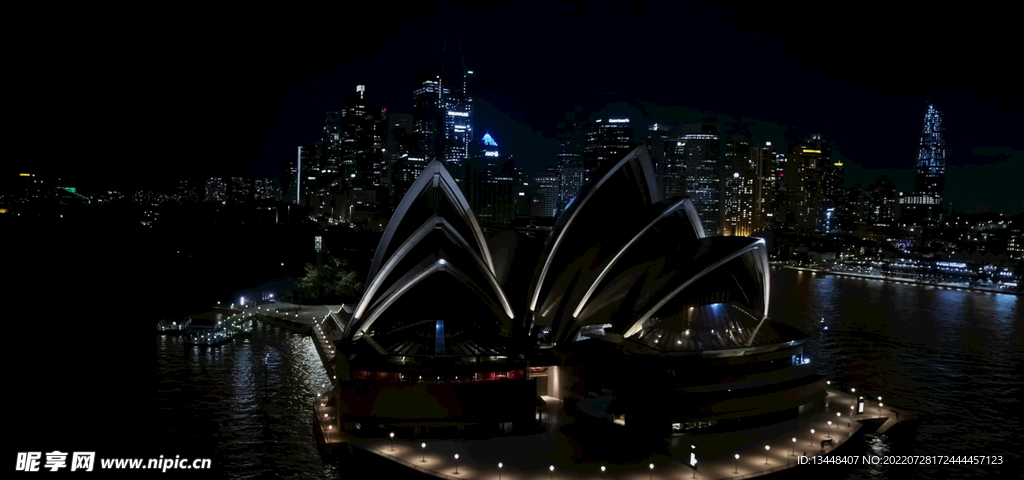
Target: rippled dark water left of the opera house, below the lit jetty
{"x": 212, "y": 404}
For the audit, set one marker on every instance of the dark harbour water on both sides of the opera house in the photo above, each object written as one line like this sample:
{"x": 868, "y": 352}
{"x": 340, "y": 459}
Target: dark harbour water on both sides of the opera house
{"x": 954, "y": 358}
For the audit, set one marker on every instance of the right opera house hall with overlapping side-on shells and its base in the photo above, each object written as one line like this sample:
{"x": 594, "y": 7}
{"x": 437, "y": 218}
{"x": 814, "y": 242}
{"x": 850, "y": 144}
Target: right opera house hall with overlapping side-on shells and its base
{"x": 658, "y": 327}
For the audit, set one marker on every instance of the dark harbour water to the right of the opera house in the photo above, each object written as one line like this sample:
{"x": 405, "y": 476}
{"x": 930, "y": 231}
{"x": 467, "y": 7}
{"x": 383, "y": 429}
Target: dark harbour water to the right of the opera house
{"x": 954, "y": 357}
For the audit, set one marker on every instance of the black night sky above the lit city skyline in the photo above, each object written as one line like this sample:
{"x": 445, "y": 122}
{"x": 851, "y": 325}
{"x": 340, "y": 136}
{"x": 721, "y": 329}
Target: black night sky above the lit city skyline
{"x": 172, "y": 94}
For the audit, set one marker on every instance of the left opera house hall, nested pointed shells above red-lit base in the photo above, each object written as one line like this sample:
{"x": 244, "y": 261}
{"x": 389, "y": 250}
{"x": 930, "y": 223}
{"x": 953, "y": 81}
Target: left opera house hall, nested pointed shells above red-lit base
{"x": 434, "y": 341}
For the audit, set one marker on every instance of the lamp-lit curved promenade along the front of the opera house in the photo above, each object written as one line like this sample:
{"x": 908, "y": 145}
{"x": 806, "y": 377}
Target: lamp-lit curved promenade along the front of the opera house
{"x": 531, "y": 457}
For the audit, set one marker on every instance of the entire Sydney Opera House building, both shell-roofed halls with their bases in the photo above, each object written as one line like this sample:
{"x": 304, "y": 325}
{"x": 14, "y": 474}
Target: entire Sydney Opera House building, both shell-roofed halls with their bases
{"x": 628, "y": 314}
